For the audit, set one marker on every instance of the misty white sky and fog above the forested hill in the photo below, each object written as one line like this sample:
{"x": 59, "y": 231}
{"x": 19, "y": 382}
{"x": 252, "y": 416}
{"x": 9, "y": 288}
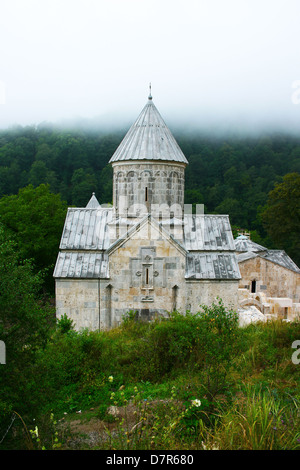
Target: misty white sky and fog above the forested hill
{"x": 211, "y": 63}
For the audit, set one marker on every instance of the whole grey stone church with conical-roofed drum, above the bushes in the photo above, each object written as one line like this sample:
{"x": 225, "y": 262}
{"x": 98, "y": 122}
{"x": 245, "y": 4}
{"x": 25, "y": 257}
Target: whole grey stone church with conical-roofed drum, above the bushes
{"x": 148, "y": 252}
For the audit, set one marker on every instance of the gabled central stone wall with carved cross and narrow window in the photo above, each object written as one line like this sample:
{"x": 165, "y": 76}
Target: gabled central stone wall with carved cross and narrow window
{"x": 147, "y": 276}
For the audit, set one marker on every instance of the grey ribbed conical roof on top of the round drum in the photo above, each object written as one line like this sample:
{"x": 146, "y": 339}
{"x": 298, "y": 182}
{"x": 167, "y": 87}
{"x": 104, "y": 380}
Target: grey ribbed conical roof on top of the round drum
{"x": 149, "y": 139}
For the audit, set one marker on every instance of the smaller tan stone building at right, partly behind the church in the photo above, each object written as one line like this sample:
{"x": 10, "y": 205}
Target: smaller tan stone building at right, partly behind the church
{"x": 270, "y": 279}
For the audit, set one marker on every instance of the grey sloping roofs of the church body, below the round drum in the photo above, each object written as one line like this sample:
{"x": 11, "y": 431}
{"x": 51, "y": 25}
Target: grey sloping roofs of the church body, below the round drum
{"x": 85, "y": 244}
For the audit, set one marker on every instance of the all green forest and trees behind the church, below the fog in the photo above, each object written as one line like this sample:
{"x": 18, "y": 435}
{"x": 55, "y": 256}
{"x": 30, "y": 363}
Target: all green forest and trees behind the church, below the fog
{"x": 45, "y": 169}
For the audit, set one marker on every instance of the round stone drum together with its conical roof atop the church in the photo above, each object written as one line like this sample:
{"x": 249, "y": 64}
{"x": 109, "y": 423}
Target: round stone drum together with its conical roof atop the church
{"x": 148, "y": 167}
